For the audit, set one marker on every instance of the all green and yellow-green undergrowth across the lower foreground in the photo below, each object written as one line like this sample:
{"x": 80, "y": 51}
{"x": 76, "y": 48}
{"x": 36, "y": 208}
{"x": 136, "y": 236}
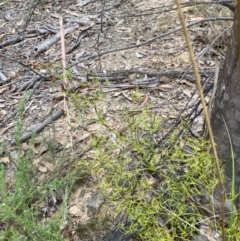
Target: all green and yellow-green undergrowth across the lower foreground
{"x": 156, "y": 185}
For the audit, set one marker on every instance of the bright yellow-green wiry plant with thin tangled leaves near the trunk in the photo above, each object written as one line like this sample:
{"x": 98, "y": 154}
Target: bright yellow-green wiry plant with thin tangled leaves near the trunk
{"x": 156, "y": 207}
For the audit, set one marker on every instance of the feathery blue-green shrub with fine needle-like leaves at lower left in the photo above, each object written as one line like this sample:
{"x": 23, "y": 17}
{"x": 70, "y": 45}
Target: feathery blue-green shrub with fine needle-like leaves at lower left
{"x": 19, "y": 217}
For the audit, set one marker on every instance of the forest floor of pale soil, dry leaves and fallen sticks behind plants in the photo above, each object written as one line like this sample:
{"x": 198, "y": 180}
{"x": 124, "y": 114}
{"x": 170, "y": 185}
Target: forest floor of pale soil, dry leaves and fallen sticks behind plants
{"x": 125, "y": 59}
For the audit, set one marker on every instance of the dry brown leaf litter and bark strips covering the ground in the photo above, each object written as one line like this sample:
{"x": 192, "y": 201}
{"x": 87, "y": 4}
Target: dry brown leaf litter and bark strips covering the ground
{"x": 155, "y": 74}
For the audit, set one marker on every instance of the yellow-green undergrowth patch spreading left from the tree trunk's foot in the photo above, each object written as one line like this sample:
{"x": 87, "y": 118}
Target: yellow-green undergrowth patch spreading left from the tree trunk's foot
{"x": 157, "y": 187}
